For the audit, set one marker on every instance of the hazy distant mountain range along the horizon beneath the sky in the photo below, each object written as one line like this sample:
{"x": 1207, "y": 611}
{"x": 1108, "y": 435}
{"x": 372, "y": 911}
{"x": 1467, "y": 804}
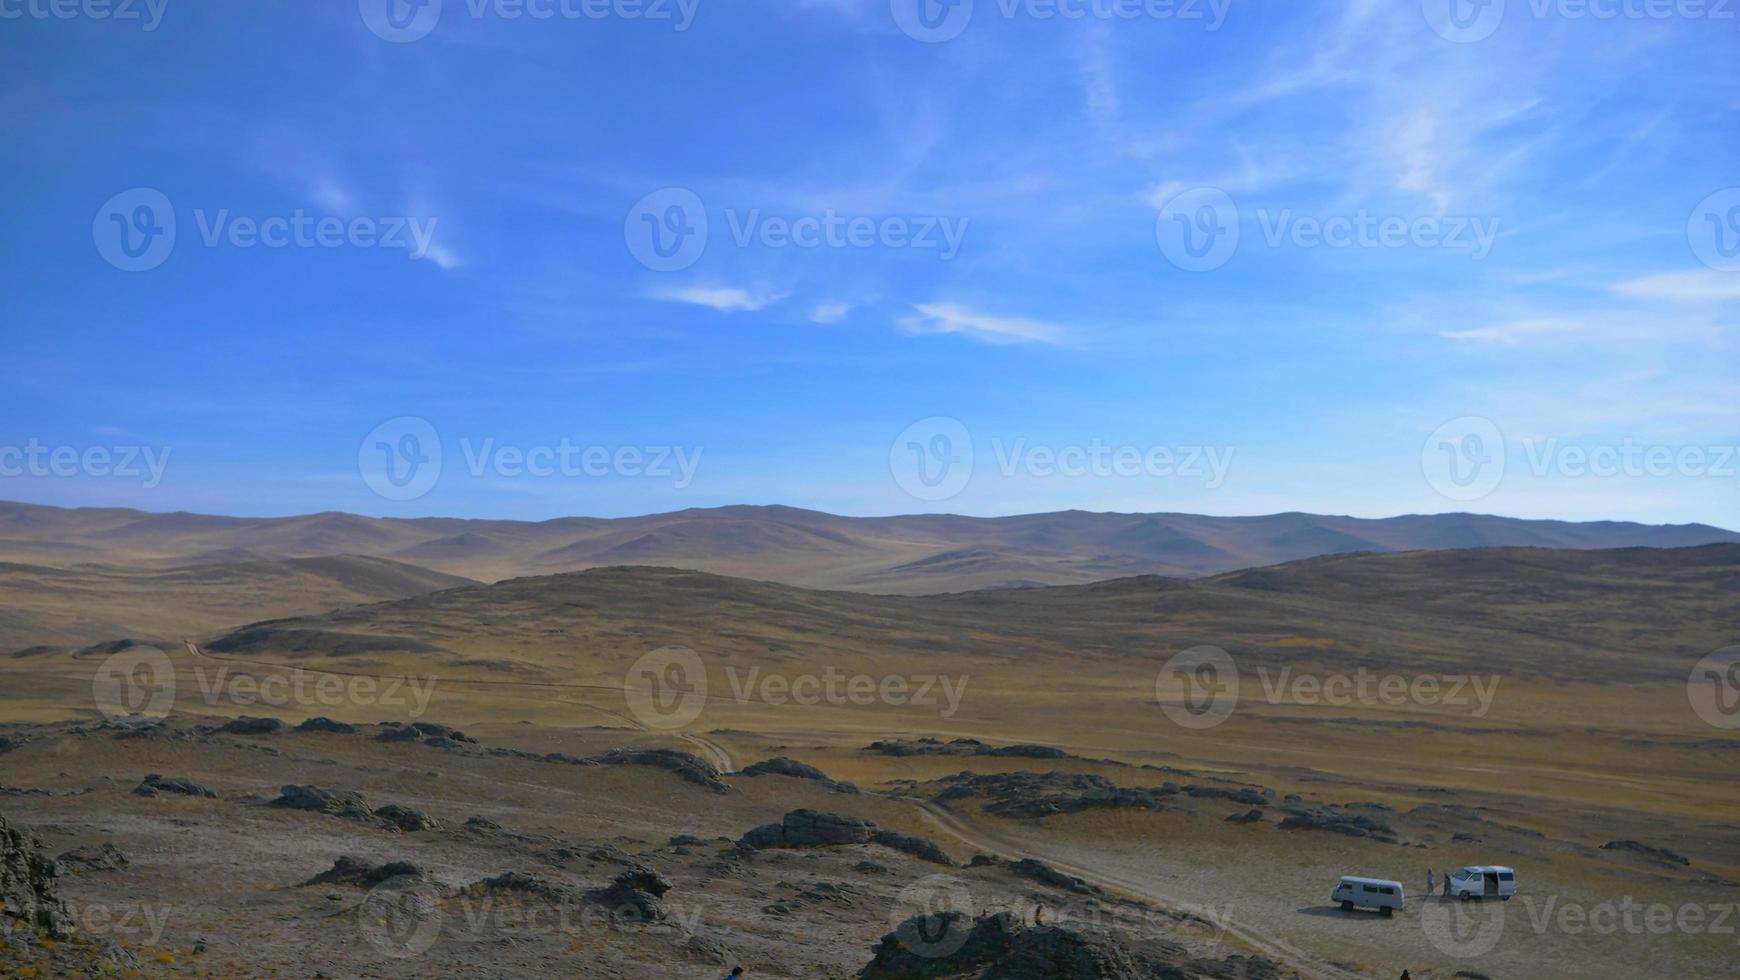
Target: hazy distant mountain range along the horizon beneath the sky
{"x": 921, "y": 554}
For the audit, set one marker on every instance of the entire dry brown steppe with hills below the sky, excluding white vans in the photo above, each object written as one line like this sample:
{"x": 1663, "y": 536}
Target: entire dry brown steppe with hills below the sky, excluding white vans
{"x": 1193, "y": 756}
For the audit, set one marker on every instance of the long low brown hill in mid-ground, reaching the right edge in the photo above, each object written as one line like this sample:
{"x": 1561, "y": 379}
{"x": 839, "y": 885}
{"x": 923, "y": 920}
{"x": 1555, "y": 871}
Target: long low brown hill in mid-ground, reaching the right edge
{"x": 1614, "y": 615}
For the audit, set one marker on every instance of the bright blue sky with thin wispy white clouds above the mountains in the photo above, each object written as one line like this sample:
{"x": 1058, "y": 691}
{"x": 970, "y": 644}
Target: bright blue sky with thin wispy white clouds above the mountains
{"x": 987, "y": 276}
